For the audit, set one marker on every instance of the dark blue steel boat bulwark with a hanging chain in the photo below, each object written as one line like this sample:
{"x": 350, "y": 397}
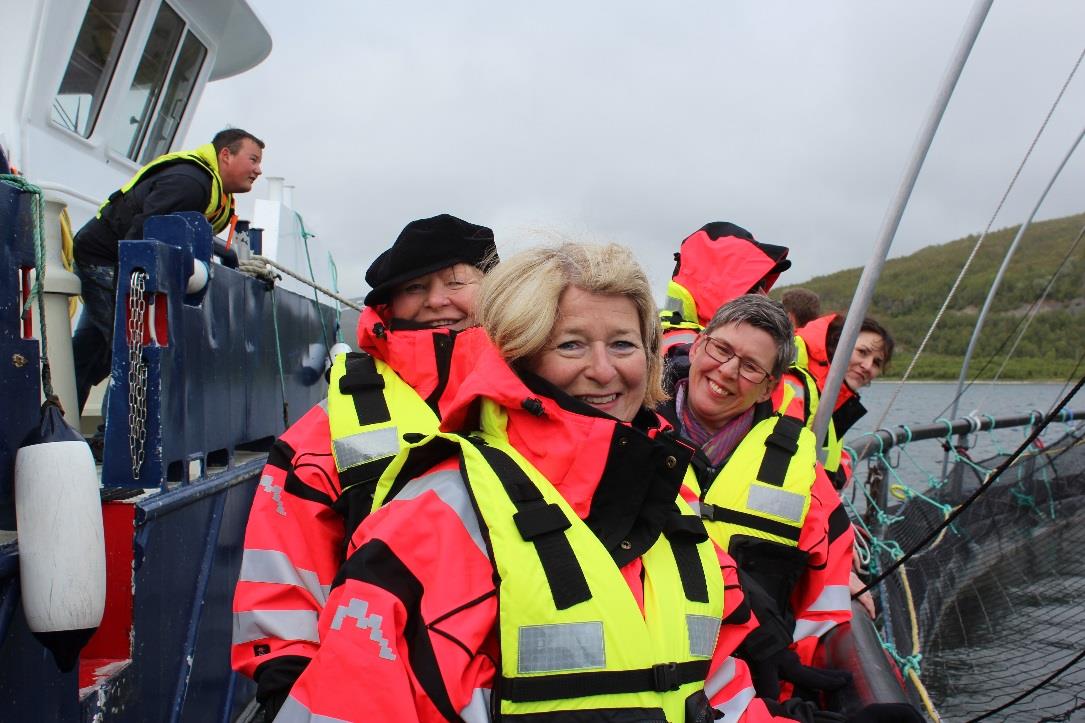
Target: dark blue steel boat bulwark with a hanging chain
{"x": 201, "y": 372}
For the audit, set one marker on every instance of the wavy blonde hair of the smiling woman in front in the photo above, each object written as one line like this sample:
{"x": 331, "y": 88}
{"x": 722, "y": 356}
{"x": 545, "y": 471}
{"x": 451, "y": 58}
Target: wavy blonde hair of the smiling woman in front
{"x": 518, "y": 305}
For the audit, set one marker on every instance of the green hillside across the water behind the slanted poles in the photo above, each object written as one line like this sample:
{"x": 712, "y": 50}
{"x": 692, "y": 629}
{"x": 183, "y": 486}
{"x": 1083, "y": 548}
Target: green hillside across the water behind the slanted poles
{"x": 912, "y": 290}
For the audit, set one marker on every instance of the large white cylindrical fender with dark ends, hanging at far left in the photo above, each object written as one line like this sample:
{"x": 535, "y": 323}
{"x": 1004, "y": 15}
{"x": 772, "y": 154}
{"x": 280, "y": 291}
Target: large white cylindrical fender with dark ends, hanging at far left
{"x": 61, "y": 542}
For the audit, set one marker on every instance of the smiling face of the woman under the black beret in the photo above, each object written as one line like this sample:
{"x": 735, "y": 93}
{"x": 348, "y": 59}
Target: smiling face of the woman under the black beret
{"x": 445, "y": 299}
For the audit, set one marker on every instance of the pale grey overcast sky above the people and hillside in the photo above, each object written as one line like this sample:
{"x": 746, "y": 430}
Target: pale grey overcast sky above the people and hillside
{"x": 640, "y": 122}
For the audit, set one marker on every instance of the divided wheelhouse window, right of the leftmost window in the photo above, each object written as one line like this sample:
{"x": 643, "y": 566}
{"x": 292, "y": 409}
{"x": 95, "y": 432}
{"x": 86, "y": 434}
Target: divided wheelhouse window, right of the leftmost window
{"x": 168, "y": 64}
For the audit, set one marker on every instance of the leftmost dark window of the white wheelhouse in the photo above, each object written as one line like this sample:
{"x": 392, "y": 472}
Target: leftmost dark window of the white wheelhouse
{"x": 91, "y": 69}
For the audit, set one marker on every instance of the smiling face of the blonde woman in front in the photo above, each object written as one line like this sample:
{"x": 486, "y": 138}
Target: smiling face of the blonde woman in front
{"x": 596, "y": 353}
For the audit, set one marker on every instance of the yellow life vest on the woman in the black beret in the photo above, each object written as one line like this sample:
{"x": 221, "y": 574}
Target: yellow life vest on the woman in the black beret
{"x": 369, "y": 410}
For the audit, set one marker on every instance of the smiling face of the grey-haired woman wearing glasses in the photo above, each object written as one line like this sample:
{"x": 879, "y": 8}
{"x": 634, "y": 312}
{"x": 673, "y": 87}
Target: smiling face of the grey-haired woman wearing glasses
{"x": 719, "y": 392}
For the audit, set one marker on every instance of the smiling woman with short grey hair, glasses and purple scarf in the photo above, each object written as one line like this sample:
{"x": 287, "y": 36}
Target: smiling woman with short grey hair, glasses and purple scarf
{"x": 761, "y": 492}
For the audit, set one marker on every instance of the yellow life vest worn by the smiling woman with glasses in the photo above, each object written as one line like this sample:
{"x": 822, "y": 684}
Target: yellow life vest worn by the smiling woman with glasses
{"x": 764, "y": 490}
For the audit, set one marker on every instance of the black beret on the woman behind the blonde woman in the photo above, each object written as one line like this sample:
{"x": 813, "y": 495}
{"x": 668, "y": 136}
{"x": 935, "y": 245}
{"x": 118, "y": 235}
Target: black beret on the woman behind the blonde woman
{"x": 428, "y": 246}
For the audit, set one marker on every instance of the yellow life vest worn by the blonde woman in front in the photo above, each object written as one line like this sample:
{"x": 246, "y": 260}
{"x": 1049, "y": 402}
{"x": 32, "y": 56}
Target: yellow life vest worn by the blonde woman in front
{"x": 572, "y": 637}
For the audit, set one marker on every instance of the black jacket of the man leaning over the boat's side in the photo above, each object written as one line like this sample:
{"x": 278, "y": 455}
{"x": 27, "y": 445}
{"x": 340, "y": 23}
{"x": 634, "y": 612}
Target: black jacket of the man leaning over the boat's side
{"x": 177, "y": 187}
